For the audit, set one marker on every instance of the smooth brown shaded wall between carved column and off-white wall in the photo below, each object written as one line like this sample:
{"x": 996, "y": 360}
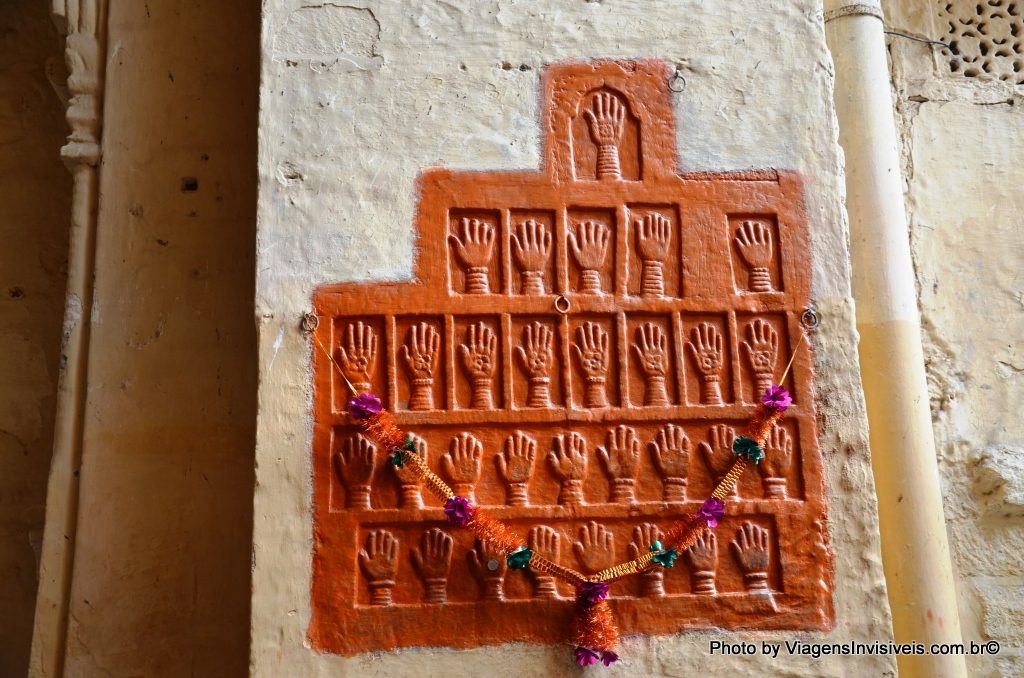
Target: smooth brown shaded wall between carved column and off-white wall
{"x": 161, "y": 579}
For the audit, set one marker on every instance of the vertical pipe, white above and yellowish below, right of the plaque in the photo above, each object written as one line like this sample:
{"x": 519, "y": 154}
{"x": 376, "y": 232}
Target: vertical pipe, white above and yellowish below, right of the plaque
{"x": 915, "y": 547}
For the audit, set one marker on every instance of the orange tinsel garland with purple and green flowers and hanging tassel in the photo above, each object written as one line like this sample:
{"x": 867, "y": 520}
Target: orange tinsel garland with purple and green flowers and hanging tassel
{"x": 594, "y": 632}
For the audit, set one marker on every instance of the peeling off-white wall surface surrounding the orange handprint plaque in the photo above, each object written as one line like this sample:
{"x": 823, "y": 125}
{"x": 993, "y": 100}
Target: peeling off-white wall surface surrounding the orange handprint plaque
{"x": 358, "y": 100}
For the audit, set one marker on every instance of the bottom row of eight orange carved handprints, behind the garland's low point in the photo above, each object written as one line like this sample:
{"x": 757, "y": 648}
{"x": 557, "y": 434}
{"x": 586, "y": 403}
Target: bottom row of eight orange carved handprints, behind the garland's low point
{"x": 594, "y": 552}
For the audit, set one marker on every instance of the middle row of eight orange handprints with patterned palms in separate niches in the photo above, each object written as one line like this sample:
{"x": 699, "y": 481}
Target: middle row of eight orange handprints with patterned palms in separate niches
{"x": 479, "y": 354}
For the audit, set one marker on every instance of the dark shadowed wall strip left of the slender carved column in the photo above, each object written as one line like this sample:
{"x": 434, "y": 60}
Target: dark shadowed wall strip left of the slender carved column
{"x": 35, "y": 197}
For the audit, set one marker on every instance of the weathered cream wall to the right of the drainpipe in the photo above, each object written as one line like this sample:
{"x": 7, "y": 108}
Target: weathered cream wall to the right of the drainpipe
{"x": 964, "y": 139}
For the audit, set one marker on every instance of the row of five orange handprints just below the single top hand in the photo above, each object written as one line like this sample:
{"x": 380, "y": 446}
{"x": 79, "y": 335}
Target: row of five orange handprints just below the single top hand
{"x": 532, "y": 241}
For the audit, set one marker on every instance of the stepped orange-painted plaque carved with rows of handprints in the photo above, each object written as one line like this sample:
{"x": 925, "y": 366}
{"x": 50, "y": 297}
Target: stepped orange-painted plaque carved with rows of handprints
{"x": 578, "y": 353}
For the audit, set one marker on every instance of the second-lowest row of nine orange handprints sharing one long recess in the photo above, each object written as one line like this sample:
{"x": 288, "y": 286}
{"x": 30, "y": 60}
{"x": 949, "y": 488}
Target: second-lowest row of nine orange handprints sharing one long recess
{"x": 357, "y": 458}
